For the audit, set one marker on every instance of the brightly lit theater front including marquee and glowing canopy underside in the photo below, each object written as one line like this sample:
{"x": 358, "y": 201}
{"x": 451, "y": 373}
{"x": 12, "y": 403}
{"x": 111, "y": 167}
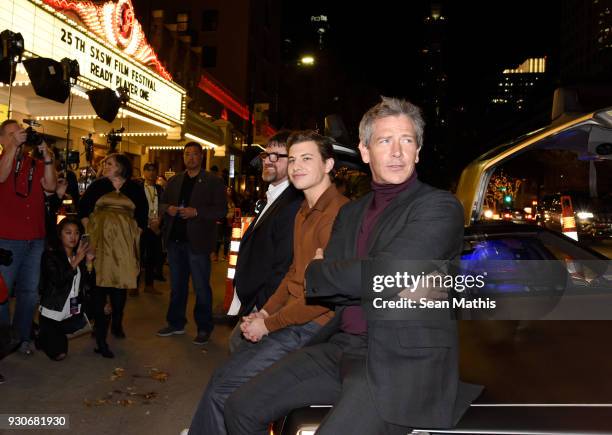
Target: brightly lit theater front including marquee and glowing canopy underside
{"x": 111, "y": 53}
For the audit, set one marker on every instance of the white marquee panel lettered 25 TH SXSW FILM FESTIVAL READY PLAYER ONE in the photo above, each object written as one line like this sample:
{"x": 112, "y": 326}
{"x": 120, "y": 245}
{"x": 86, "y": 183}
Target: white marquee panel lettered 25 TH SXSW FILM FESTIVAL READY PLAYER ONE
{"x": 50, "y": 34}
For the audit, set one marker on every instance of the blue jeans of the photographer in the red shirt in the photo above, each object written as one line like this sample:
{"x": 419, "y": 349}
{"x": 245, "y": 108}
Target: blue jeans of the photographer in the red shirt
{"x": 22, "y": 278}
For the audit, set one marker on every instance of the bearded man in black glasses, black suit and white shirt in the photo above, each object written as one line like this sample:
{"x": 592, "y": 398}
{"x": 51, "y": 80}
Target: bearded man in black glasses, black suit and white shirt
{"x": 266, "y": 249}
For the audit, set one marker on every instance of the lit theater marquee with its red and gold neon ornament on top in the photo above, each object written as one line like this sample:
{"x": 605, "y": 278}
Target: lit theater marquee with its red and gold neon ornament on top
{"x": 104, "y": 62}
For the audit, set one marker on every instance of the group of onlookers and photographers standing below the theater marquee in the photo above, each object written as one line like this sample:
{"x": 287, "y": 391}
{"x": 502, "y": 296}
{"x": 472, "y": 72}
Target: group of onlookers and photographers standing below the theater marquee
{"x": 79, "y": 271}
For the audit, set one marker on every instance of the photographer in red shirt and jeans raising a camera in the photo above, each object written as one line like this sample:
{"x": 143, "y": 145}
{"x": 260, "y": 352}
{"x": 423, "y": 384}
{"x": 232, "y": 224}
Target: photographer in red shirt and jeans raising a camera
{"x": 24, "y": 179}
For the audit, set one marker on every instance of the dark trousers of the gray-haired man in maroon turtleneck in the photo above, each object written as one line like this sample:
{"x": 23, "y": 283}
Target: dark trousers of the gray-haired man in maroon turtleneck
{"x": 323, "y": 374}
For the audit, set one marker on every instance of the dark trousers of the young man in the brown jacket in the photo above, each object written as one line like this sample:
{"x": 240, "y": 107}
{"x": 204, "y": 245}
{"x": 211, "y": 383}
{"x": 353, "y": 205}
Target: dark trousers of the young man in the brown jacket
{"x": 249, "y": 360}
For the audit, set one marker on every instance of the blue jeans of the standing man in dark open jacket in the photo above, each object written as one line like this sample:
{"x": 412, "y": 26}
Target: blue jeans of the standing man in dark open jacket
{"x": 183, "y": 263}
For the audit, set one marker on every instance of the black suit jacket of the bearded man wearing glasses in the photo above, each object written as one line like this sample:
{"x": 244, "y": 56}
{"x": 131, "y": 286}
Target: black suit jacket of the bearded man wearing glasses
{"x": 266, "y": 251}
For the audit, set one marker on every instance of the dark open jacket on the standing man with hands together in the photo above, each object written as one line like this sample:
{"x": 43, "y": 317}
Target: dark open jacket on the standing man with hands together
{"x": 208, "y": 198}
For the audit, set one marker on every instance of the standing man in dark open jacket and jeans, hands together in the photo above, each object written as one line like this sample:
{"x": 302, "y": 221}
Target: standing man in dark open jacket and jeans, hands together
{"x": 191, "y": 204}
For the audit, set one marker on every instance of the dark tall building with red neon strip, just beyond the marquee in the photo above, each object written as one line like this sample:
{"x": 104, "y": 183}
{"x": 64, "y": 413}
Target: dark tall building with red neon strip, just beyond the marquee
{"x": 227, "y": 55}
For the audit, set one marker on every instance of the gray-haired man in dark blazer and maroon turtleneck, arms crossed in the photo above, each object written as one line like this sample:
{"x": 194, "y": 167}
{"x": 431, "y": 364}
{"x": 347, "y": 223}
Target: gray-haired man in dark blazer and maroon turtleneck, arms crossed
{"x": 382, "y": 376}
